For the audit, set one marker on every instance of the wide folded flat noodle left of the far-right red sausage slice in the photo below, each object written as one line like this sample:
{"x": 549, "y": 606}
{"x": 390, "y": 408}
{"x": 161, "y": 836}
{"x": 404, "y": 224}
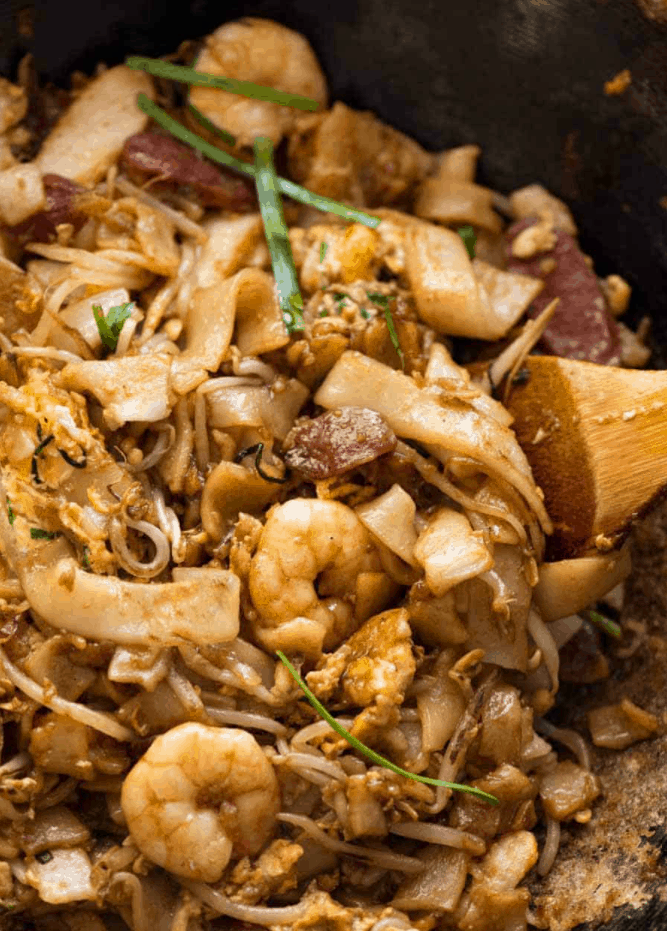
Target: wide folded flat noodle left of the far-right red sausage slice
{"x": 448, "y": 296}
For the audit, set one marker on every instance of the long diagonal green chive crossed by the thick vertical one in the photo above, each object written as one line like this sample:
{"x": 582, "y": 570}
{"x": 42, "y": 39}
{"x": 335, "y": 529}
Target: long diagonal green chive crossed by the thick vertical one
{"x": 288, "y": 188}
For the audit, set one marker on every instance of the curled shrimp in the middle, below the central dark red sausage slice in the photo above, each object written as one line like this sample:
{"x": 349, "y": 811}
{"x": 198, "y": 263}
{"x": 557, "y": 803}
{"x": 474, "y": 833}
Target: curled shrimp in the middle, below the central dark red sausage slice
{"x": 303, "y": 541}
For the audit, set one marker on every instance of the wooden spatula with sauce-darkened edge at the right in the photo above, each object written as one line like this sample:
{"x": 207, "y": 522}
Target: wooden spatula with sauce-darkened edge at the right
{"x": 596, "y": 439}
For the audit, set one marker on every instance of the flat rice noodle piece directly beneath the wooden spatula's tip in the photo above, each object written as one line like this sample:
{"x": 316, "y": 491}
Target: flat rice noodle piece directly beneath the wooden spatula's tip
{"x": 568, "y": 586}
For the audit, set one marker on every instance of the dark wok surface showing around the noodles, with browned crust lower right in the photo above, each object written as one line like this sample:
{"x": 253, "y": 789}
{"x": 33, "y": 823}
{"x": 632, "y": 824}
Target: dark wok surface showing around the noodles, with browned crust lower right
{"x": 524, "y": 79}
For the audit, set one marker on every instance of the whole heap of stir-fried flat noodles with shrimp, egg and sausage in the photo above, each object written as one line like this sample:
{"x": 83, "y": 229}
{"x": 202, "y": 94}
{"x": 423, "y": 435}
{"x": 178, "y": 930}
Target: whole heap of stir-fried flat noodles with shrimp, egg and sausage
{"x": 277, "y": 633}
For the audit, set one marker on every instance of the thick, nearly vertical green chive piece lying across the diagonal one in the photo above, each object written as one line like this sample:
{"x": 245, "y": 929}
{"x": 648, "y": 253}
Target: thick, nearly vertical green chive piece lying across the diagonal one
{"x": 277, "y": 237}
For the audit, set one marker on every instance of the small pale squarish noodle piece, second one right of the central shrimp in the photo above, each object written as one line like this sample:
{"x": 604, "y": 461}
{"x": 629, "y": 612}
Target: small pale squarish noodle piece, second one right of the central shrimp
{"x": 450, "y": 551}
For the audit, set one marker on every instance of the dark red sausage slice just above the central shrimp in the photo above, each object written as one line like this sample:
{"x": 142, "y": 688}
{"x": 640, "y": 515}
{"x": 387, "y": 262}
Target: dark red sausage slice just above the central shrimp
{"x": 338, "y": 441}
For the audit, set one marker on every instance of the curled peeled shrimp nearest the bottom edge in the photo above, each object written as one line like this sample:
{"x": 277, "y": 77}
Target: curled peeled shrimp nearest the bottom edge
{"x": 199, "y": 797}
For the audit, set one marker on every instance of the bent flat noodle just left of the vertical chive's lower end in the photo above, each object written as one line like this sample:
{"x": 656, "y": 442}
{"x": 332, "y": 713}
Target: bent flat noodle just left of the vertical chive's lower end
{"x": 210, "y": 323}
